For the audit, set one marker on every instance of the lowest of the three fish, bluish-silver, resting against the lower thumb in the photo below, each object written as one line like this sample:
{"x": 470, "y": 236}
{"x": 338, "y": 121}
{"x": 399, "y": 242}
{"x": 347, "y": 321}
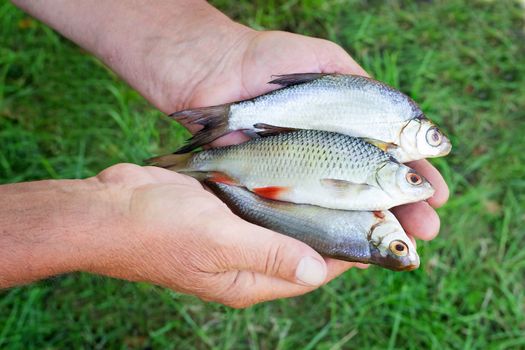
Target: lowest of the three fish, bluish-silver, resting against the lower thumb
{"x": 356, "y": 236}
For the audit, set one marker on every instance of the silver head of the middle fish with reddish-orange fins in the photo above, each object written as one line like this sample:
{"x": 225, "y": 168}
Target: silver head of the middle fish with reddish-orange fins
{"x": 403, "y": 183}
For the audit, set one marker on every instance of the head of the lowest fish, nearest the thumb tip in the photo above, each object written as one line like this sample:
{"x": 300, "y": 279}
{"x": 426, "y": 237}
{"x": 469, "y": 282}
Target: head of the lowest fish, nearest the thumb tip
{"x": 390, "y": 247}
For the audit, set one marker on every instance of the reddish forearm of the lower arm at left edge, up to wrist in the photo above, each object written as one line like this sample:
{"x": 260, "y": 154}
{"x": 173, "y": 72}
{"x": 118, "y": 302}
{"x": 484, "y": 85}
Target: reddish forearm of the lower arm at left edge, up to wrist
{"x": 50, "y": 227}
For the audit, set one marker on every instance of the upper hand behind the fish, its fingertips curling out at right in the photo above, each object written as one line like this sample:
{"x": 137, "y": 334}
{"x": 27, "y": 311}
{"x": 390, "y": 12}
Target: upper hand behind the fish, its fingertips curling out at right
{"x": 257, "y": 57}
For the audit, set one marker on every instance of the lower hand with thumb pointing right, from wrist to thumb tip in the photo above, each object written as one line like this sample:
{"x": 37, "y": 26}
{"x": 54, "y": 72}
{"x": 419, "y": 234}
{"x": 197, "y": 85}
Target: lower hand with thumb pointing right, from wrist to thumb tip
{"x": 172, "y": 232}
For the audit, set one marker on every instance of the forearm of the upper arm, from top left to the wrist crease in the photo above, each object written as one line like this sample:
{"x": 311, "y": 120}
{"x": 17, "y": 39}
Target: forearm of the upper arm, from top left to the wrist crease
{"x": 131, "y": 36}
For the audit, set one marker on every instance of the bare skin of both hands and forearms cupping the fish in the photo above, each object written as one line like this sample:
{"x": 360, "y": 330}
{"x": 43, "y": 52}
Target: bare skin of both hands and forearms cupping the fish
{"x": 150, "y": 224}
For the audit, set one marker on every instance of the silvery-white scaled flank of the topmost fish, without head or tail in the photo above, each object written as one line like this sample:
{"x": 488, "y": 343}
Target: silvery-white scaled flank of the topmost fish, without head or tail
{"x": 336, "y": 99}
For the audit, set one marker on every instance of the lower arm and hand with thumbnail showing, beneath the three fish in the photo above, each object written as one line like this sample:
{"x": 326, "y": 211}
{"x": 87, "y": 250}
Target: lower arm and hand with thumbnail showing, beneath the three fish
{"x": 150, "y": 224}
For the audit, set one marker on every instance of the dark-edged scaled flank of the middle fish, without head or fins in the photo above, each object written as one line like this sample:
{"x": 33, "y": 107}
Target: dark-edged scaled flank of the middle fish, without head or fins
{"x": 293, "y": 156}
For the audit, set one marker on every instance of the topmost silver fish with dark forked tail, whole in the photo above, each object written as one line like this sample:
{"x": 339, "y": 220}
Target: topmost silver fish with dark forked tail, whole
{"x": 350, "y": 104}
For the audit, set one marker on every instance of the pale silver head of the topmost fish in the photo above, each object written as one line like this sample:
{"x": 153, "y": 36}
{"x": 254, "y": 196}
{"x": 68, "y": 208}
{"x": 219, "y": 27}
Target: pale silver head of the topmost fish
{"x": 420, "y": 138}
